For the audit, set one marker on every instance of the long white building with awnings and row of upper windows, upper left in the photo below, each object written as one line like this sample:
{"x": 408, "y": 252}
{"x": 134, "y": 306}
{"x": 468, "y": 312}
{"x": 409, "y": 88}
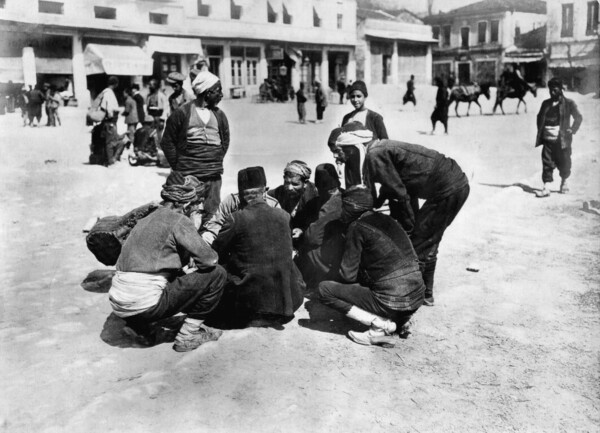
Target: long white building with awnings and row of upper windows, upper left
{"x": 244, "y": 41}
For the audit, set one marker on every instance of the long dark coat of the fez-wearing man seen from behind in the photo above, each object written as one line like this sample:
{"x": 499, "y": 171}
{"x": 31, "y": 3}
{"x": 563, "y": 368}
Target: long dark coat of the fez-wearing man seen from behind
{"x": 255, "y": 246}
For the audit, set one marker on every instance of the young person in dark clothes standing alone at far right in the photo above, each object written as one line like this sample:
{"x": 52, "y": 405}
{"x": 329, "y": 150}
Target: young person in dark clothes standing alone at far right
{"x": 555, "y": 134}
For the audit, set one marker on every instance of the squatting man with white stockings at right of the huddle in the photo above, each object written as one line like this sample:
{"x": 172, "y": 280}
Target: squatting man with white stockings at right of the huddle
{"x": 380, "y": 282}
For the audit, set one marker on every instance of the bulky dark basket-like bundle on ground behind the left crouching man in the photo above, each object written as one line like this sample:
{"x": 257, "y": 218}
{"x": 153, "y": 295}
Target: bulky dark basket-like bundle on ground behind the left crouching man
{"x": 108, "y": 234}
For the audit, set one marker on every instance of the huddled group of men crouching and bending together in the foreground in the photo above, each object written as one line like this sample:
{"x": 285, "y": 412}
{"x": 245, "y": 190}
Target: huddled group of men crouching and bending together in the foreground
{"x": 253, "y": 261}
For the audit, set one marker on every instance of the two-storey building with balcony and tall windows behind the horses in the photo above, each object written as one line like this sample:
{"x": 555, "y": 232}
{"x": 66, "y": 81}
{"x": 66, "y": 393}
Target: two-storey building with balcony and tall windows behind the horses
{"x": 476, "y": 41}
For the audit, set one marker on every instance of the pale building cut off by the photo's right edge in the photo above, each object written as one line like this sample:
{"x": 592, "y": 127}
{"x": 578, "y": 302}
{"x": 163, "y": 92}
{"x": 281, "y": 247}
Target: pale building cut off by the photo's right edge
{"x": 574, "y": 43}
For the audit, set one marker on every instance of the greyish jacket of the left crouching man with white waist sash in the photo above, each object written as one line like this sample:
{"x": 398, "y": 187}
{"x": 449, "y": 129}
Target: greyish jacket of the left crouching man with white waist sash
{"x": 163, "y": 242}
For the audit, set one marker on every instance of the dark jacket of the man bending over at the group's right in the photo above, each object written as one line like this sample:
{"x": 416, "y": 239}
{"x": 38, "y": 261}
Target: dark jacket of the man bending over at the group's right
{"x": 408, "y": 172}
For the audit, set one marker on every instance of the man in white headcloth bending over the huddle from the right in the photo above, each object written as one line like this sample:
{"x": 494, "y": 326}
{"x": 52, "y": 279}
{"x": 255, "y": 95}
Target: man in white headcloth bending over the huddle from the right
{"x": 406, "y": 173}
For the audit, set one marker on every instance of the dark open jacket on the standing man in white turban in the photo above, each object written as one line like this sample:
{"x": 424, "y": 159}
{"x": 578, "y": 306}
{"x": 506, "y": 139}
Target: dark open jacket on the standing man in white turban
{"x": 196, "y": 162}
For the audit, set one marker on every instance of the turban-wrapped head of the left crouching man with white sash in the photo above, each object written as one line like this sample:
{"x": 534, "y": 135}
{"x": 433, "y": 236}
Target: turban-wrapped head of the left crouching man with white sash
{"x": 183, "y": 193}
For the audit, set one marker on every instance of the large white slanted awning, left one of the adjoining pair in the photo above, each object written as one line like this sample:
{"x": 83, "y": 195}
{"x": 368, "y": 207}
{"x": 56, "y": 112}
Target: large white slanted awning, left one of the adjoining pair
{"x": 116, "y": 60}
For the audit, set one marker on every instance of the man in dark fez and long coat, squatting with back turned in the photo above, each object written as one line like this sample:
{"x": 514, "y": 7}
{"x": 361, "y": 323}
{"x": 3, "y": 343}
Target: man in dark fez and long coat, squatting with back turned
{"x": 255, "y": 246}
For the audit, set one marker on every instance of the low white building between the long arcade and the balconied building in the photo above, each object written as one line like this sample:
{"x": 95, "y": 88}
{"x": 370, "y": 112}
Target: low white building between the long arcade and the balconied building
{"x": 392, "y": 47}
